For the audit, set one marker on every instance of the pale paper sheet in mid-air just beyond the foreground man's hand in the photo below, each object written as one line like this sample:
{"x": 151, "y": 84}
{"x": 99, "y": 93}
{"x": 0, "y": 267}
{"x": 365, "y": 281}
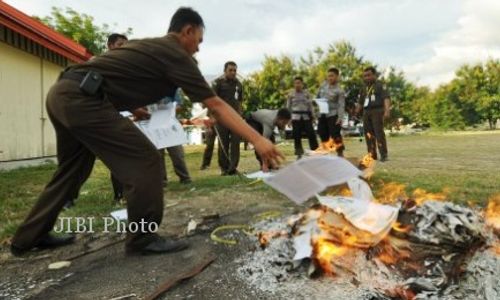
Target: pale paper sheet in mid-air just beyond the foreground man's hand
{"x": 306, "y": 177}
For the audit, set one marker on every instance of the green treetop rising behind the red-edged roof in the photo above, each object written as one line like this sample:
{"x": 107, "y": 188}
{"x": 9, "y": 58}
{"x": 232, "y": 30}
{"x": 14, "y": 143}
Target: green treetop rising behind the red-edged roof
{"x": 80, "y": 28}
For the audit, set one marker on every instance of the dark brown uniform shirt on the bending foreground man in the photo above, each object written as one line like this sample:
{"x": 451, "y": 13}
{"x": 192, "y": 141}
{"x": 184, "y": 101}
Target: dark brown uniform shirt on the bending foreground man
{"x": 143, "y": 71}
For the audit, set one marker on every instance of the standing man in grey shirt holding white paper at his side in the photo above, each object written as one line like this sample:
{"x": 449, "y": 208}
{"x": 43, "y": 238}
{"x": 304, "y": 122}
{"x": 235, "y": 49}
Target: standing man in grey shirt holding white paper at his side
{"x": 329, "y": 123}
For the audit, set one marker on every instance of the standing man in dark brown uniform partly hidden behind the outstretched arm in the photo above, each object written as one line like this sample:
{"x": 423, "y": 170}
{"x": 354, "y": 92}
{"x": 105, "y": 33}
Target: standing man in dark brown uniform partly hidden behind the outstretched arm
{"x": 229, "y": 88}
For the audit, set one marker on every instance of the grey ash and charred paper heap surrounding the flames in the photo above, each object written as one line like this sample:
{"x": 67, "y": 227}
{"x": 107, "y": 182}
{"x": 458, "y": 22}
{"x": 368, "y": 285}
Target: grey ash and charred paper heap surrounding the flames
{"x": 448, "y": 230}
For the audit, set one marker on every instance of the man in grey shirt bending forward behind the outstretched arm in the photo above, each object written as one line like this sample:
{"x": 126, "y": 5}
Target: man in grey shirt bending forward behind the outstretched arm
{"x": 264, "y": 121}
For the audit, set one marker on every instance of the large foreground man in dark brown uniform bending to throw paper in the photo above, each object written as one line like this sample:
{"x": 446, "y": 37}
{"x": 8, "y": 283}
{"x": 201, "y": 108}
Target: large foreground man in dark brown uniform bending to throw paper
{"x": 84, "y": 108}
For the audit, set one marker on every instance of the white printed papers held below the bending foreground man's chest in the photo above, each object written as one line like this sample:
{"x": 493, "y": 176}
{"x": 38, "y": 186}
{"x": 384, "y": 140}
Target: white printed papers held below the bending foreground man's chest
{"x": 163, "y": 129}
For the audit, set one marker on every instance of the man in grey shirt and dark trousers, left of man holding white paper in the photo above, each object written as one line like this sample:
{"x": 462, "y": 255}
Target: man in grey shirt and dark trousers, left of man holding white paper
{"x": 300, "y": 104}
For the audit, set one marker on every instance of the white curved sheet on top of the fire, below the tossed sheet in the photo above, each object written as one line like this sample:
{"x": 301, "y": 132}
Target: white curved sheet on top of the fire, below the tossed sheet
{"x": 369, "y": 216}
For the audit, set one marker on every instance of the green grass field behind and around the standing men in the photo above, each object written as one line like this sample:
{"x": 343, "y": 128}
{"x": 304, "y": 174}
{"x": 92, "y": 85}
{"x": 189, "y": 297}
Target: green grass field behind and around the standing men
{"x": 465, "y": 165}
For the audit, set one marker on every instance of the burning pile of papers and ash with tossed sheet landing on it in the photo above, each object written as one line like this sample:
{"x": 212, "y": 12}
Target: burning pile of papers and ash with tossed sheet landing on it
{"x": 412, "y": 249}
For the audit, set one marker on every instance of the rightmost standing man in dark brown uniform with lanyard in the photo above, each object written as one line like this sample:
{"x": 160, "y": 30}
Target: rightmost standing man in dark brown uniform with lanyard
{"x": 375, "y": 103}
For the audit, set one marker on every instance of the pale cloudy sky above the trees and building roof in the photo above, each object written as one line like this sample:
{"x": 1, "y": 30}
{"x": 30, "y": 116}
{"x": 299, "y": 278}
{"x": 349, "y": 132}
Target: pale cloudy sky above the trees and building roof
{"x": 427, "y": 39}
